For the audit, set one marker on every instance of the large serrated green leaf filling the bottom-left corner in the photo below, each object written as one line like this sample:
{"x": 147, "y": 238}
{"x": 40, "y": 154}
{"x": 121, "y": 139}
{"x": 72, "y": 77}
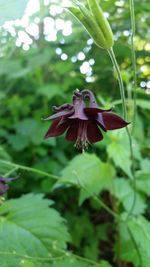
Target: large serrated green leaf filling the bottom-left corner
{"x": 29, "y": 220}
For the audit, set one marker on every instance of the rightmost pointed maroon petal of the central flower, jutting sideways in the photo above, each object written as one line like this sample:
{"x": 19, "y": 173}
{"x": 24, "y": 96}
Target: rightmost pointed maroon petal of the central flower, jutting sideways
{"x": 112, "y": 121}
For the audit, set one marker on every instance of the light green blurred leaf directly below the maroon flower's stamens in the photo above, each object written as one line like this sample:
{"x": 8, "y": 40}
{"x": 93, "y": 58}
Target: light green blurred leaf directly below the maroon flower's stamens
{"x": 89, "y": 173}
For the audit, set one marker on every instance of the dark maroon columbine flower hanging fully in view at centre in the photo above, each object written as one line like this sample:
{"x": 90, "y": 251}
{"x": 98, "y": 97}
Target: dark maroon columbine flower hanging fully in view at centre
{"x": 83, "y": 123}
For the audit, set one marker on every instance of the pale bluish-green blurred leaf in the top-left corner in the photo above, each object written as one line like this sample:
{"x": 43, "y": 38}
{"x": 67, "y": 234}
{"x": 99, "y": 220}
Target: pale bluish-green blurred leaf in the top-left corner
{"x": 10, "y": 10}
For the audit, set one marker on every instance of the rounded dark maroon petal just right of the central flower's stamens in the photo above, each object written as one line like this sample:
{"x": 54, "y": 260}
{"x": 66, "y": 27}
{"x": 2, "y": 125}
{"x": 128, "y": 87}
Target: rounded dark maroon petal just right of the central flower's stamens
{"x": 93, "y": 133}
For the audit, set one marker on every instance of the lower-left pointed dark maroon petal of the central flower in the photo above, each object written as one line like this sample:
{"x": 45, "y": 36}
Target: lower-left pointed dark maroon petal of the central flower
{"x": 57, "y": 129}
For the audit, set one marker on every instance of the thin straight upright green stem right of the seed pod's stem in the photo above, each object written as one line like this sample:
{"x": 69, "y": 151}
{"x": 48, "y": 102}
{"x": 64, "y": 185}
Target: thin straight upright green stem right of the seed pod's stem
{"x": 133, "y": 56}
